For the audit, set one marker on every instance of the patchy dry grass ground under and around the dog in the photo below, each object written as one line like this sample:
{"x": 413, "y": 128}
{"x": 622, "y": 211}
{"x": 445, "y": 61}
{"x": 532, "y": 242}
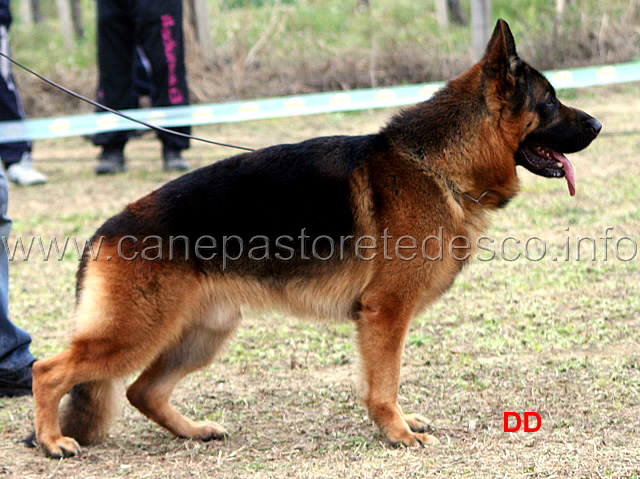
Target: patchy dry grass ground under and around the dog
{"x": 560, "y": 338}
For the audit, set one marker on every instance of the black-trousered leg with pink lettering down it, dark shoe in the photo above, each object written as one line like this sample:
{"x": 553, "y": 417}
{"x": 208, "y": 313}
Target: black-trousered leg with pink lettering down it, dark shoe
{"x": 159, "y": 32}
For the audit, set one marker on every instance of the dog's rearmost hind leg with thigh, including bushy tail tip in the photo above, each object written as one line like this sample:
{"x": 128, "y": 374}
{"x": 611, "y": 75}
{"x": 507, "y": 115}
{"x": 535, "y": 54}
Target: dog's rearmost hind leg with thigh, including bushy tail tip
{"x": 127, "y": 314}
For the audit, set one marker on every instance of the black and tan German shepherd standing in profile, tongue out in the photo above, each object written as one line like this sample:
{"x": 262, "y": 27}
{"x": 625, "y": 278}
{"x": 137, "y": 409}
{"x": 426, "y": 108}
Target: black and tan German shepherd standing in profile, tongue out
{"x": 176, "y": 267}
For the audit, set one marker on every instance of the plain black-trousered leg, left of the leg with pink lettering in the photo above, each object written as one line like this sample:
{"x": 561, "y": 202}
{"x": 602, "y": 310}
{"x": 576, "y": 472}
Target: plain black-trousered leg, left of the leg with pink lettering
{"x": 116, "y": 48}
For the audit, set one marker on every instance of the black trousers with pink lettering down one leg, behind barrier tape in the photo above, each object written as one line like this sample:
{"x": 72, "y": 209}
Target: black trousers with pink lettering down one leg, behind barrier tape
{"x": 156, "y": 27}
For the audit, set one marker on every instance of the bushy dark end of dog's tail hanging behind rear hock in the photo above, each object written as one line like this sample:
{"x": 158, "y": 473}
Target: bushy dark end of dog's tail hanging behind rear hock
{"x": 89, "y": 409}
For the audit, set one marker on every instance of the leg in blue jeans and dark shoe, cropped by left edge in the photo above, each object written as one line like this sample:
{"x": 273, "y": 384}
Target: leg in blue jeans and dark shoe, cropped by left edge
{"x": 15, "y": 357}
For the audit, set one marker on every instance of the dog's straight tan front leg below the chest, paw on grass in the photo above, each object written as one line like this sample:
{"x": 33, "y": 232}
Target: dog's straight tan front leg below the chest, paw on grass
{"x": 382, "y": 325}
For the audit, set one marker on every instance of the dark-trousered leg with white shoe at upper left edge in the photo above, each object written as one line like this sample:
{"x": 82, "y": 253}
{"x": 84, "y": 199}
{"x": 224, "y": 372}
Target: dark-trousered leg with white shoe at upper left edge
{"x": 16, "y": 156}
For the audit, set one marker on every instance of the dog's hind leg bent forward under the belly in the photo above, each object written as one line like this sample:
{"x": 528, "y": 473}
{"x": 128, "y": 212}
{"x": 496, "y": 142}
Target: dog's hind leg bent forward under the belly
{"x": 151, "y": 391}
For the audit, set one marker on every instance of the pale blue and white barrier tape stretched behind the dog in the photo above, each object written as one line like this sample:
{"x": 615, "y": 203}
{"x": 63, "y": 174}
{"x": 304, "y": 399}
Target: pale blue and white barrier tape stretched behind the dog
{"x": 88, "y": 124}
